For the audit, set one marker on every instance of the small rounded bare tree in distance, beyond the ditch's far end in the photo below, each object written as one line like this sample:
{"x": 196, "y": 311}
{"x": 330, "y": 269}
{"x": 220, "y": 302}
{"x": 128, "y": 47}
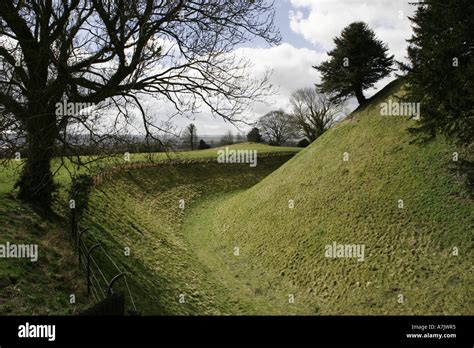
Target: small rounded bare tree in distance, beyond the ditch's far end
{"x": 277, "y": 127}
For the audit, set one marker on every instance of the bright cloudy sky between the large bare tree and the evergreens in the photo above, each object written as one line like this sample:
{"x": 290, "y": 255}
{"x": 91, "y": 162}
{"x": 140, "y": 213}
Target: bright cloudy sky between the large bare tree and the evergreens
{"x": 308, "y": 28}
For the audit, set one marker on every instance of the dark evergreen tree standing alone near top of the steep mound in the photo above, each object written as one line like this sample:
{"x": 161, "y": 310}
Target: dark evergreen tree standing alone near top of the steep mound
{"x": 357, "y": 62}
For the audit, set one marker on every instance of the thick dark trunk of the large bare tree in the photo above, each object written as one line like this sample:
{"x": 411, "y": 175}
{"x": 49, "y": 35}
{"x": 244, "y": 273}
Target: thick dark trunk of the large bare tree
{"x": 36, "y": 181}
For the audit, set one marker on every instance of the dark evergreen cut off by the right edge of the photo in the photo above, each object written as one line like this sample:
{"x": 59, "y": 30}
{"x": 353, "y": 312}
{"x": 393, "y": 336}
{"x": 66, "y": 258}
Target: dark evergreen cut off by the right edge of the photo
{"x": 441, "y": 75}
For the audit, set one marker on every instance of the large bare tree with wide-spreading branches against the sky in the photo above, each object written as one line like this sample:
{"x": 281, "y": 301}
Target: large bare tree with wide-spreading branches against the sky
{"x": 111, "y": 54}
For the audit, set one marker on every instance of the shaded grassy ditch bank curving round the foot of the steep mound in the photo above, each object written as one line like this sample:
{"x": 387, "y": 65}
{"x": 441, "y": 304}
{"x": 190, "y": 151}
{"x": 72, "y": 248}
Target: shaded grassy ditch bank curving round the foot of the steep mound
{"x": 139, "y": 209}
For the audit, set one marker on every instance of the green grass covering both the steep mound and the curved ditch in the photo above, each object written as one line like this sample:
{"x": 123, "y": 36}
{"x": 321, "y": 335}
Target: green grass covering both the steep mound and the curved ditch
{"x": 408, "y": 251}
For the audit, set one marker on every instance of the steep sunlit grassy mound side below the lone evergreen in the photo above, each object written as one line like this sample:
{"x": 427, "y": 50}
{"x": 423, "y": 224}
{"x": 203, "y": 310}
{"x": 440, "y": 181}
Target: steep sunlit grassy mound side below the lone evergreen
{"x": 409, "y": 250}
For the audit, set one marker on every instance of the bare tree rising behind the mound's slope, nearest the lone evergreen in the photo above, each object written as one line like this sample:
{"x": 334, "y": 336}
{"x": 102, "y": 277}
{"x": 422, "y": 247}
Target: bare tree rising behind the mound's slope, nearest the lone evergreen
{"x": 313, "y": 112}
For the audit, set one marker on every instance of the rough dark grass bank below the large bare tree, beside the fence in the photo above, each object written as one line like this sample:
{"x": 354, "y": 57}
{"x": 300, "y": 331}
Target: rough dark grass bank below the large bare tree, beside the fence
{"x": 41, "y": 287}
